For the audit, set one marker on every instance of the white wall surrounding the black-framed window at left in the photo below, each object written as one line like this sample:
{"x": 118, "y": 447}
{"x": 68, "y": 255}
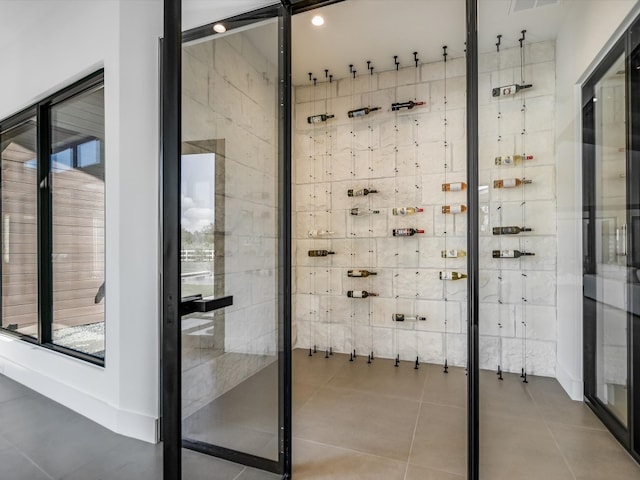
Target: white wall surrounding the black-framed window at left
{"x": 44, "y": 46}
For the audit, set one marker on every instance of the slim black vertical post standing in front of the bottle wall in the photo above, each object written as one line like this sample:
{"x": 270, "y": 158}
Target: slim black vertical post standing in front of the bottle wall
{"x": 473, "y": 445}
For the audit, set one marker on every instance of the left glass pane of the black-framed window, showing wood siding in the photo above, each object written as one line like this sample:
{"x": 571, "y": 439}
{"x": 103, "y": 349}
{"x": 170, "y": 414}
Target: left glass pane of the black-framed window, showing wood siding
{"x": 19, "y": 229}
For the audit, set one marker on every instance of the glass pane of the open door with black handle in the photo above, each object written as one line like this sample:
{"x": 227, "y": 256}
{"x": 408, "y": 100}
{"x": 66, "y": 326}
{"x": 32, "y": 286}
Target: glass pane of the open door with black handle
{"x": 230, "y": 383}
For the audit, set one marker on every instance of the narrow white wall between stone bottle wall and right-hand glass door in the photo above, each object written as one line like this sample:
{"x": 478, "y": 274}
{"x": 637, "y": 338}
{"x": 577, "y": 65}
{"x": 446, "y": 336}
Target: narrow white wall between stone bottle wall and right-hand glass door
{"x": 584, "y": 37}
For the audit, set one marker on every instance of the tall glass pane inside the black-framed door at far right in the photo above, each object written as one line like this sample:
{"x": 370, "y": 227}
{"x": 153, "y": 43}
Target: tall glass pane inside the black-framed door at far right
{"x": 611, "y": 240}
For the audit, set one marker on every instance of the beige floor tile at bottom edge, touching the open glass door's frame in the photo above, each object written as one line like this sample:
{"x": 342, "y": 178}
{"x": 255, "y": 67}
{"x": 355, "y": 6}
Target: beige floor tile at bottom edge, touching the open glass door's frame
{"x": 314, "y": 461}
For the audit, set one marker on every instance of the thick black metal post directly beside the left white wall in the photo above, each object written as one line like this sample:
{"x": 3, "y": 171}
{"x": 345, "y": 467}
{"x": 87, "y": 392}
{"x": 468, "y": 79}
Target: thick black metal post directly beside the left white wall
{"x": 171, "y": 94}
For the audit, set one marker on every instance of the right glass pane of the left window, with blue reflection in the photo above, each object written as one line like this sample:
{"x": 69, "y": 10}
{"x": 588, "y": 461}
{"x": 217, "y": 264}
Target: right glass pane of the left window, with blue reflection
{"x": 77, "y": 189}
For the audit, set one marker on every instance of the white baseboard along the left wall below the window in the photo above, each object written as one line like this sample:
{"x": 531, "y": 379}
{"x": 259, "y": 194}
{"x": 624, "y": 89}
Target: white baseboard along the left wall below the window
{"x": 123, "y": 422}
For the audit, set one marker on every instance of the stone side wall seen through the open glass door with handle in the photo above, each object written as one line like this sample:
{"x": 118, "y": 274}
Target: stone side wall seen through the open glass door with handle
{"x": 230, "y": 93}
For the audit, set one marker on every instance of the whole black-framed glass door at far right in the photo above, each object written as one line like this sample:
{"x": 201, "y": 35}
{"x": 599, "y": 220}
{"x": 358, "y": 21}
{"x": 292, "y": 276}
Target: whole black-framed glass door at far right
{"x": 611, "y": 189}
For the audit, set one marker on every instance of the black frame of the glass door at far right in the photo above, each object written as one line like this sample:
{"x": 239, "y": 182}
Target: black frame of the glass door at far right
{"x": 628, "y": 45}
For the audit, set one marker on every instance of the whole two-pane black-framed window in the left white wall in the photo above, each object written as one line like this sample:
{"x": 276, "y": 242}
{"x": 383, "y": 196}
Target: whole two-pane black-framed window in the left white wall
{"x": 52, "y": 229}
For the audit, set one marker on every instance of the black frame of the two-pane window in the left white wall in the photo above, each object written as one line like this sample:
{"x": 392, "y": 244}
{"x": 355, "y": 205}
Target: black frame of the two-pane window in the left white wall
{"x": 41, "y": 110}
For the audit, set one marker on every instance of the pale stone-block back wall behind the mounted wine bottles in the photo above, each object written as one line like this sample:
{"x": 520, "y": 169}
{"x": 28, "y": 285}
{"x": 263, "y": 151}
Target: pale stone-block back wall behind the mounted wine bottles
{"x": 403, "y": 156}
